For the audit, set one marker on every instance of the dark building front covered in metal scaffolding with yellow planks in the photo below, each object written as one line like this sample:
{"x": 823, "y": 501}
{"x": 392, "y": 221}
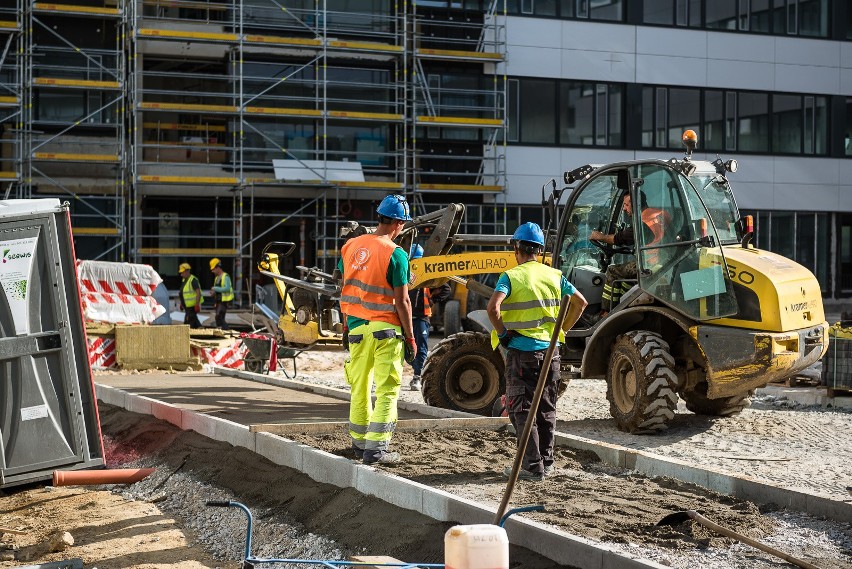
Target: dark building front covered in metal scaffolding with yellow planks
{"x": 160, "y": 121}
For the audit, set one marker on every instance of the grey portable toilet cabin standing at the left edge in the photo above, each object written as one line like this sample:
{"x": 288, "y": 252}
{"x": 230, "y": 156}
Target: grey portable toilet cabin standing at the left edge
{"x": 48, "y": 410}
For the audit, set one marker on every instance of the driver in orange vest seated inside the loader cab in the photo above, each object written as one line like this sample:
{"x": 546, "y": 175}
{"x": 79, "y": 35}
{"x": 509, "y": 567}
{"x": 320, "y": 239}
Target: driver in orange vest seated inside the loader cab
{"x": 654, "y": 221}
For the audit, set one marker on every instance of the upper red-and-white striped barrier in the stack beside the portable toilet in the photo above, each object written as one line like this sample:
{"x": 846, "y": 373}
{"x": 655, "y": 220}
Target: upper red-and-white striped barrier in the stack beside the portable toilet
{"x": 117, "y": 278}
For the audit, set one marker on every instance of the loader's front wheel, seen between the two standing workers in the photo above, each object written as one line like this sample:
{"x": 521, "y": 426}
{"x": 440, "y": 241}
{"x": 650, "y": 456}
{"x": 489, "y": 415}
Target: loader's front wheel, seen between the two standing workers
{"x": 463, "y": 373}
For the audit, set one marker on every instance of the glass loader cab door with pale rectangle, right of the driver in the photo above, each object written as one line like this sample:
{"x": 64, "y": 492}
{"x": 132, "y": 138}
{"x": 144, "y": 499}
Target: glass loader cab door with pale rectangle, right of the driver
{"x": 679, "y": 254}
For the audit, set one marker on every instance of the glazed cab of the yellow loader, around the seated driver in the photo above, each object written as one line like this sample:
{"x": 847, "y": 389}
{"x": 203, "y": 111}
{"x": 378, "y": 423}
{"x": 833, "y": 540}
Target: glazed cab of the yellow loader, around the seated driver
{"x": 677, "y": 249}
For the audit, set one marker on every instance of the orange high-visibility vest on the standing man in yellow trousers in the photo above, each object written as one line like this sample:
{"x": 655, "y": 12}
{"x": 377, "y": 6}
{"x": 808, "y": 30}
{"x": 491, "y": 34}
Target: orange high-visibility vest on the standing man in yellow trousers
{"x": 366, "y": 292}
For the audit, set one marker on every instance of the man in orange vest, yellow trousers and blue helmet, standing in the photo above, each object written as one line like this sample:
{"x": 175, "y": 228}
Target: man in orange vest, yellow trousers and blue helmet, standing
{"x": 375, "y": 300}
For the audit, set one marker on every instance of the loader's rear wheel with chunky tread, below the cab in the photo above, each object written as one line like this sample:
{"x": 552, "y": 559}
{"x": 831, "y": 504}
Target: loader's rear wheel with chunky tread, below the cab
{"x": 641, "y": 383}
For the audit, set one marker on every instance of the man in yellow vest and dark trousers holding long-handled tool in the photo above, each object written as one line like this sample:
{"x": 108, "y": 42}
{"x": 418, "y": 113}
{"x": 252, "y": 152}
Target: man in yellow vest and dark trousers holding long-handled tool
{"x": 523, "y": 310}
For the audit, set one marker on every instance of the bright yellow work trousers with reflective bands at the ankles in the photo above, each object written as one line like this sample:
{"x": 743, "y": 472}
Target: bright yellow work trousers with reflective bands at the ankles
{"x": 378, "y": 359}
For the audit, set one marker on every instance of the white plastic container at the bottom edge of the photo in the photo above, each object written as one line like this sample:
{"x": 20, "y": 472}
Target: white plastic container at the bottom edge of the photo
{"x": 480, "y": 546}
